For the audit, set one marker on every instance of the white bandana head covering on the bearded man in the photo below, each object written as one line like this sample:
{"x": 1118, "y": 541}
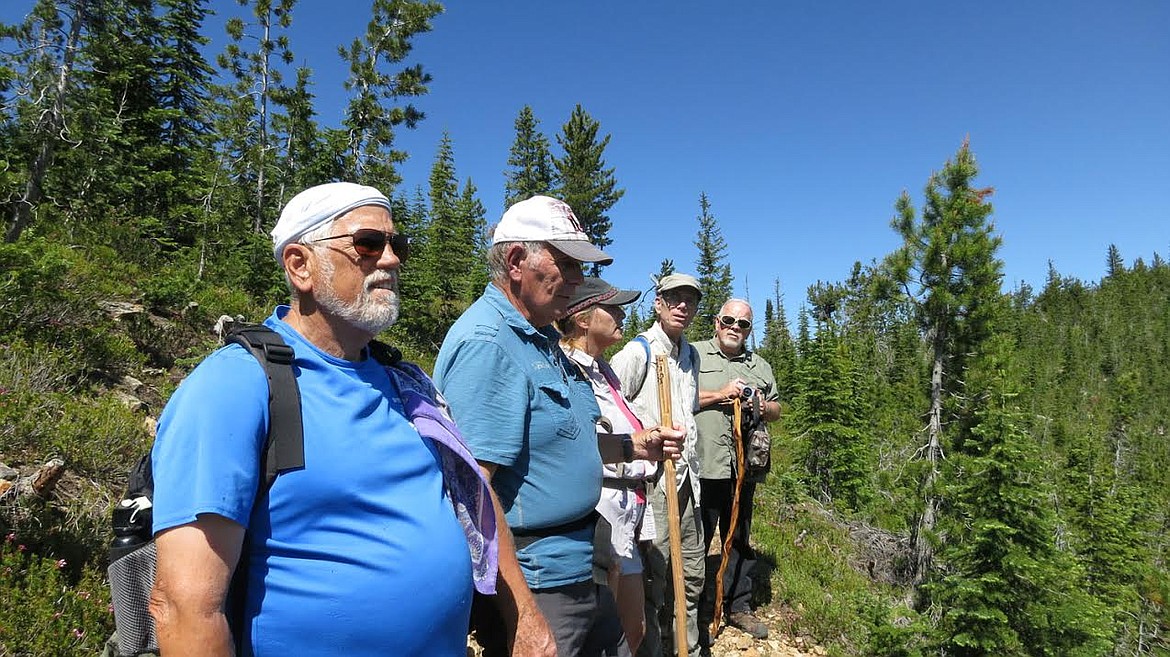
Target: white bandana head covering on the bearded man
{"x": 318, "y": 206}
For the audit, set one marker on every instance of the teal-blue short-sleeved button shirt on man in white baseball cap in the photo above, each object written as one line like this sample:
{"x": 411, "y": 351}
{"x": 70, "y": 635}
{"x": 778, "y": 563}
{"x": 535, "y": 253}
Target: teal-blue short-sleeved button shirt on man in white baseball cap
{"x": 526, "y": 407}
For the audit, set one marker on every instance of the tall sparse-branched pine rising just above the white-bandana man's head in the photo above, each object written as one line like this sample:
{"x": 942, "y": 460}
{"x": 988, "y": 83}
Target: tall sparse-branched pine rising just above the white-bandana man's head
{"x": 370, "y": 156}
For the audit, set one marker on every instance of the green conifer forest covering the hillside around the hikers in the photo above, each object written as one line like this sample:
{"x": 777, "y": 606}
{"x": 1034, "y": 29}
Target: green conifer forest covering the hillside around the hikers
{"x": 961, "y": 468}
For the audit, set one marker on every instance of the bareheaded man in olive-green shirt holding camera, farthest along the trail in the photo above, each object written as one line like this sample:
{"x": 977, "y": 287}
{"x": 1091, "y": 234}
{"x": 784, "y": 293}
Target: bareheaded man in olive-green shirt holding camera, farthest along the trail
{"x": 728, "y": 371}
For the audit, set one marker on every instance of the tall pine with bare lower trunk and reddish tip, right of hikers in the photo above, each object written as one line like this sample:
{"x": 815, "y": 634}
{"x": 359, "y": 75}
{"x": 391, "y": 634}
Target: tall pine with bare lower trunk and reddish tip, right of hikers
{"x": 949, "y": 272}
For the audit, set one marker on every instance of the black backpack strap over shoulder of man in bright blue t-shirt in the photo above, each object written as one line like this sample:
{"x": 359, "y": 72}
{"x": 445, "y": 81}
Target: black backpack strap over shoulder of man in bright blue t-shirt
{"x": 285, "y": 447}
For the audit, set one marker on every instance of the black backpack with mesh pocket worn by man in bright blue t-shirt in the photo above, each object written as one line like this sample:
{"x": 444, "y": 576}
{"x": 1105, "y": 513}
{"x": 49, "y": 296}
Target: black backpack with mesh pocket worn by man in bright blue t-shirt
{"x": 133, "y": 554}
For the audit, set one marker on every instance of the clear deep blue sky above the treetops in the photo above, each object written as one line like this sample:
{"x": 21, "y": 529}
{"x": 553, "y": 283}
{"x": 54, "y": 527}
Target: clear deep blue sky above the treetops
{"x": 804, "y": 121}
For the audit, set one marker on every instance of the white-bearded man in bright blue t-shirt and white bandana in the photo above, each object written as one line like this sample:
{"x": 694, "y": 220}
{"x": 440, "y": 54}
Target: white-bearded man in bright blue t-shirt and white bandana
{"x": 338, "y": 551}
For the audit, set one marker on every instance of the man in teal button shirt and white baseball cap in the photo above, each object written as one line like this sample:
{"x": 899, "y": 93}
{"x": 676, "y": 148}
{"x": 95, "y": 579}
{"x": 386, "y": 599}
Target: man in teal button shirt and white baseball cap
{"x": 529, "y": 418}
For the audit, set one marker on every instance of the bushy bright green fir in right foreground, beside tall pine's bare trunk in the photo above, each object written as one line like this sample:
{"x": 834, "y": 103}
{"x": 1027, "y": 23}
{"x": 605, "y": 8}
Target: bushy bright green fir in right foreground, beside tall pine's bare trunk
{"x": 1009, "y": 590}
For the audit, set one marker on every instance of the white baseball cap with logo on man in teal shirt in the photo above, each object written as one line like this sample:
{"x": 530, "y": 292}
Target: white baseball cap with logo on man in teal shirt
{"x": 545, "y": 219}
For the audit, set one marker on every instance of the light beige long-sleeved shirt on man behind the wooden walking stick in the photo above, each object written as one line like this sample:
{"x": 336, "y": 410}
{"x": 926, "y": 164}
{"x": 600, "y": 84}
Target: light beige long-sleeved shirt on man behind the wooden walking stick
{"x": 639, "y": 384}
